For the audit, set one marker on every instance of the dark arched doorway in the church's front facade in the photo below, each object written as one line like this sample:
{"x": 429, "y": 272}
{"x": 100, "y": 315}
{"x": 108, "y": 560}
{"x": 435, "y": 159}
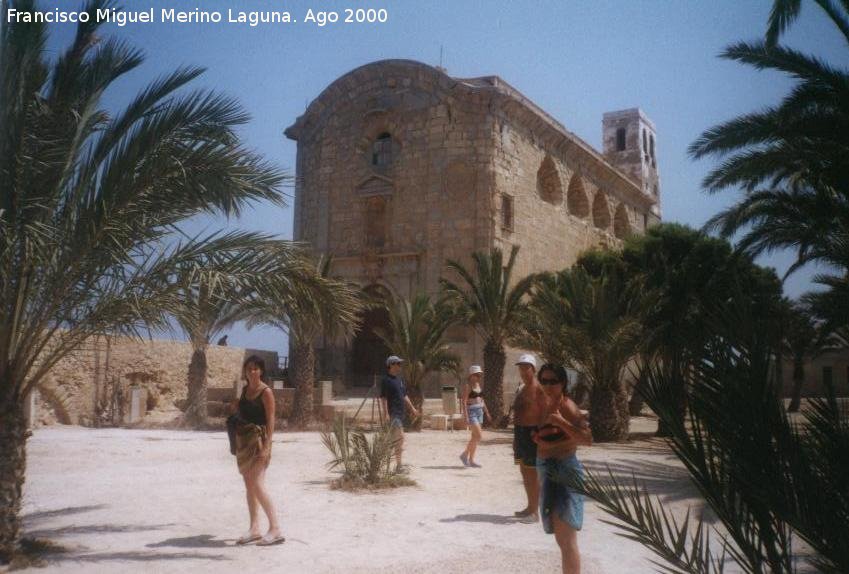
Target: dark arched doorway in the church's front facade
{"x": 368, "y": 351}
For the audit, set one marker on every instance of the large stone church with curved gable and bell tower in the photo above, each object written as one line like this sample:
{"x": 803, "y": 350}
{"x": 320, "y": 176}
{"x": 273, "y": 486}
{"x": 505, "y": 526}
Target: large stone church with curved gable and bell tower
{"x": 401, "y": 167}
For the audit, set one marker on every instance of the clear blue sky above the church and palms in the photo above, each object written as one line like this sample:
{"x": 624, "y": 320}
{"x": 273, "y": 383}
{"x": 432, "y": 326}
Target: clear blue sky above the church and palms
{"x": 576, "y": 59}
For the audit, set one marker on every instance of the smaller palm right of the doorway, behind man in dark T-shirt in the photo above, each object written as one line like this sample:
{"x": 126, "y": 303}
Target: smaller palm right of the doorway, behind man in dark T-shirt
{"x": 417, "y": 333}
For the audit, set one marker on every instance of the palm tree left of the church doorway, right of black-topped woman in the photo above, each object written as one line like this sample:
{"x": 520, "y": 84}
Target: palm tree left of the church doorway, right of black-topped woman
{"x": 332, "y": 310}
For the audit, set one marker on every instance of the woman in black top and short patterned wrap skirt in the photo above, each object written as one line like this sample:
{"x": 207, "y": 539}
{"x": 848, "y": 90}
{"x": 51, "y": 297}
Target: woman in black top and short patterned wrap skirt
{"x": 253, "y": 450}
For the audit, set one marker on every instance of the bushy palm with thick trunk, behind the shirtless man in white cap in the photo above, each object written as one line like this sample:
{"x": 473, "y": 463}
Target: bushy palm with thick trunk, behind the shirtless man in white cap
{"x": 589, "y": 323}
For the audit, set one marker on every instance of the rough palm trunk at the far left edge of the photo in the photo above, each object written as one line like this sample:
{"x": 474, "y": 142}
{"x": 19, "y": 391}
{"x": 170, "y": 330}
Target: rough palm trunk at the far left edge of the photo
{"x": 13, "y": 464}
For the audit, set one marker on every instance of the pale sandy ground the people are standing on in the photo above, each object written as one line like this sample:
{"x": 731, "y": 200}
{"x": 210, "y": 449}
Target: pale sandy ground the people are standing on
{"x": 172, "y": 501}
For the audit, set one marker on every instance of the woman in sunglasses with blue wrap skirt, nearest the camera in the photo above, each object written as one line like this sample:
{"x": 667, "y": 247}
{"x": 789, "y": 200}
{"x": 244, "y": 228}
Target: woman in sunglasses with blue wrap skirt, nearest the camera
{"x": 563, "y": 430}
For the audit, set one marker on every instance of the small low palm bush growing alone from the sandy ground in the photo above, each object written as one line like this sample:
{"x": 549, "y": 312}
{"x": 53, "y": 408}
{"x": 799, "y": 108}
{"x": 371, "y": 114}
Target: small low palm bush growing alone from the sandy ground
{"x": 364, "y": 463}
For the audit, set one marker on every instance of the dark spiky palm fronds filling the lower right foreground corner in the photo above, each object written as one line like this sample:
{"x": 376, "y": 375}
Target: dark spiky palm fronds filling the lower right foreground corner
{"x": 773, "y": 483}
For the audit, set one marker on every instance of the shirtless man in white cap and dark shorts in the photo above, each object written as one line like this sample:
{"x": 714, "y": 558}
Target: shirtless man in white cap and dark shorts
{"x": 529, "y": 413}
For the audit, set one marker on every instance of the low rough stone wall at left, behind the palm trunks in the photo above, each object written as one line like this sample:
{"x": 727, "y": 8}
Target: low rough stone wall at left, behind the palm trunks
{"x": 92, "y": 384}
